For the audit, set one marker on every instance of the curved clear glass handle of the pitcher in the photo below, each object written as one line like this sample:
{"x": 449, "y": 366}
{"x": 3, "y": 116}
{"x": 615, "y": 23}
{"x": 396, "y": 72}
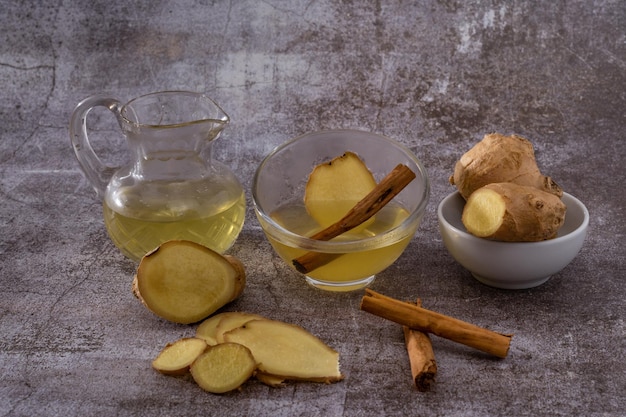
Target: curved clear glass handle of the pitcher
{"x": 97, "y": 172}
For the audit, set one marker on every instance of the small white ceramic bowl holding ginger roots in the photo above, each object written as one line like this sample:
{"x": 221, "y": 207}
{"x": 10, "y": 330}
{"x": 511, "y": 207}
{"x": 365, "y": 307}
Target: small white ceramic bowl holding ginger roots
{"x": 512, "y": 265}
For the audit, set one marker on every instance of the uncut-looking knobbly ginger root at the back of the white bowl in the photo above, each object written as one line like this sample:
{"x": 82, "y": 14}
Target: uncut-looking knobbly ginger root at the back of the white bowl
{"x": 498, "y": 158}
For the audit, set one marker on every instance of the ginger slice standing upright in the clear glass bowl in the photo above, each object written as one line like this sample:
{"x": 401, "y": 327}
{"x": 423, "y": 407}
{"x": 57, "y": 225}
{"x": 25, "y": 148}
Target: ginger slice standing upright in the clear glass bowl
{"x": 334, "y": 187}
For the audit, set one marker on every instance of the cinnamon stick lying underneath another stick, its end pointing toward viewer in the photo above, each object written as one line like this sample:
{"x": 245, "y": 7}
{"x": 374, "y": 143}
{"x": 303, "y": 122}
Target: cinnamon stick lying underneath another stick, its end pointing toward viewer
{"x": 421, "y": 357}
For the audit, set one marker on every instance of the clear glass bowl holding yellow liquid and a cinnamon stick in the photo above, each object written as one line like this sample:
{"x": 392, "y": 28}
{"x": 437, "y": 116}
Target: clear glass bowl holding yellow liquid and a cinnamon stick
{"x": 352, "y": 260}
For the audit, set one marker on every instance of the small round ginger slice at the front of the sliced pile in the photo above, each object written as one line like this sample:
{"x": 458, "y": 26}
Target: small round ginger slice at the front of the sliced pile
{"x": 223, "y": 368}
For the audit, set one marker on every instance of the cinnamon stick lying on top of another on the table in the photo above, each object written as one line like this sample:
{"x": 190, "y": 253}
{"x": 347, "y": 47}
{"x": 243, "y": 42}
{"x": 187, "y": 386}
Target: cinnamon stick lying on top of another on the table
{"x": 419, "y": 318}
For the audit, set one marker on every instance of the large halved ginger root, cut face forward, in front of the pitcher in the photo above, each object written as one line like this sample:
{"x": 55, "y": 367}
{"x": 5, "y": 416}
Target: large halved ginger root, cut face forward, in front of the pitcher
{"x": 185, "y": 282}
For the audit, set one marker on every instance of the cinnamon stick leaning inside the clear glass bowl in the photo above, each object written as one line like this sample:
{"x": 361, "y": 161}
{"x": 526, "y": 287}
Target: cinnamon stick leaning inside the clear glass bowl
{"x": 384, "y": 191}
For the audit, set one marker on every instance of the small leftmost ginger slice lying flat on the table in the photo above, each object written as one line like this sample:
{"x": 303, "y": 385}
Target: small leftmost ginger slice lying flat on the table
{"x": 177, "y": 357}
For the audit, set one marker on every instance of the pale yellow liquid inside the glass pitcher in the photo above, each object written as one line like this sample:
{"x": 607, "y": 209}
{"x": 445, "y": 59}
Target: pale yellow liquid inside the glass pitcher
{"x": 146, "y": 229}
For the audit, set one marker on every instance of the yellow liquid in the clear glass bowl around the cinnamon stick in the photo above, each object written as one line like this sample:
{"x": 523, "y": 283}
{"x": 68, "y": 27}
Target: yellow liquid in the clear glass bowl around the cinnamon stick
{"x": 351, "y": 267}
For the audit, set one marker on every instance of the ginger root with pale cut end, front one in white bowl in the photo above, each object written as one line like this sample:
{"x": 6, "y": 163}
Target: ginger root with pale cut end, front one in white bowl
{"x": 513, "y": 213}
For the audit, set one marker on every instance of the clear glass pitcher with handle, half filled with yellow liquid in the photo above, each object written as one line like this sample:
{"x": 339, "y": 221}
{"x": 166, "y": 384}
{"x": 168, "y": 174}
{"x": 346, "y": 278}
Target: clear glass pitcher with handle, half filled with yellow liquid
{"x": 172, "y": 188}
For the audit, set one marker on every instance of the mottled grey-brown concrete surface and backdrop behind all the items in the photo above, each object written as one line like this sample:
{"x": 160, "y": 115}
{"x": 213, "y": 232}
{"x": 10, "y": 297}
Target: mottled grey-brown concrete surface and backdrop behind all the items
{"x": 435, "y": 75}
